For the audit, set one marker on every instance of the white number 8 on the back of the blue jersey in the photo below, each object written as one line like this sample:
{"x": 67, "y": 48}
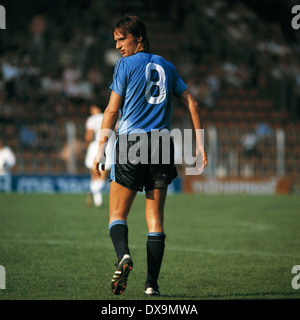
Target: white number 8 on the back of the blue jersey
{"x": 160, "y": 83}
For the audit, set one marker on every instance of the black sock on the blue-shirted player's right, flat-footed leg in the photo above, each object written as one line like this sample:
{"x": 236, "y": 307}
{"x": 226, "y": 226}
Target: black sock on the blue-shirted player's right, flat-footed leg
{"x": 155, "y": 253}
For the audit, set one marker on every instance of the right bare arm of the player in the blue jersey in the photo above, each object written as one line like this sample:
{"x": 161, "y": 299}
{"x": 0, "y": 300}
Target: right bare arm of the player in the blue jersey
{"x": 187, "y": 99}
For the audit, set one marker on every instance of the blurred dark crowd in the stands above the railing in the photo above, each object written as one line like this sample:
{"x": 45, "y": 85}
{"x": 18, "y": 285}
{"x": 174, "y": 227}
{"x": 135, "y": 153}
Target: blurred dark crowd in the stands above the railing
{"x": 62, "y": 57}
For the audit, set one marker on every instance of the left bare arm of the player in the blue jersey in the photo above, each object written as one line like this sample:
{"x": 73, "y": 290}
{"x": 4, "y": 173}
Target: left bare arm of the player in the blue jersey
{"x": 110, "y": 118}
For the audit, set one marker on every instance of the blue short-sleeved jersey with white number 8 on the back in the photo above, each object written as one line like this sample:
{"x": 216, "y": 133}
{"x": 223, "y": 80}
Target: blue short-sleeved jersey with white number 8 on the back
{"x": 146, "y": 82}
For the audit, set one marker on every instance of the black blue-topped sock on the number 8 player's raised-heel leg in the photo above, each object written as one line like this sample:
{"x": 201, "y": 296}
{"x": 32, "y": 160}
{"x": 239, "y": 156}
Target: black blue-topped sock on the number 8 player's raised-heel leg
{"x": 118, "y": 230}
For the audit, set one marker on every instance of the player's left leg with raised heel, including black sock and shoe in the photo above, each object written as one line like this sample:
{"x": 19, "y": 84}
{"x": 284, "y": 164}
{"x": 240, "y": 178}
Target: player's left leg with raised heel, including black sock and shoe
{"x": 120, "y": 203}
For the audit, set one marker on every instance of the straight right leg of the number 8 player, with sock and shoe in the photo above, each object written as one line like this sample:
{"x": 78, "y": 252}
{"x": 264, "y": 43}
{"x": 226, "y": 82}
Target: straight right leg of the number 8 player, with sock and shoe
{"x": 155, "y": 203}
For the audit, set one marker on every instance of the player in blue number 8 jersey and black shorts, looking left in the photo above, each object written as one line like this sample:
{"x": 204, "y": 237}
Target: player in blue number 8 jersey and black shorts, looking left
{"x": 142, "y": 87}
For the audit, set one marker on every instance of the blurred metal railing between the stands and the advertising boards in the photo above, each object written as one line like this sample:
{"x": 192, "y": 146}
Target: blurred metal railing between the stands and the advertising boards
{"x": 58, "y": 148}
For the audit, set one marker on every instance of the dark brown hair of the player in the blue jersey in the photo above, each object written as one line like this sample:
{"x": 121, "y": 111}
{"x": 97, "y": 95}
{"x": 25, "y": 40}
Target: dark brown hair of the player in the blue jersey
{"x": 135, "y": 26}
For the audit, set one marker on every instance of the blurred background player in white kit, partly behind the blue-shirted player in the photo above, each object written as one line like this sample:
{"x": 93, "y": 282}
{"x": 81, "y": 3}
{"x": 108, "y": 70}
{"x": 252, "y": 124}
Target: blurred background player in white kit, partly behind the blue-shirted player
{"x": 92, "y": 137}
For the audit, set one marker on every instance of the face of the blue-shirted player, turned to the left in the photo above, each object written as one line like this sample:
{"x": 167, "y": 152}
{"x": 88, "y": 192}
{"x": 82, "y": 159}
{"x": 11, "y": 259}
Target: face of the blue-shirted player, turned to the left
{"x": 127, "y": 45}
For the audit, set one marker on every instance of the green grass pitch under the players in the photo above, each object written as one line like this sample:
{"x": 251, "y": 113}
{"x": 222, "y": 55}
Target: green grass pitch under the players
{"x": 218, "y": 247}
